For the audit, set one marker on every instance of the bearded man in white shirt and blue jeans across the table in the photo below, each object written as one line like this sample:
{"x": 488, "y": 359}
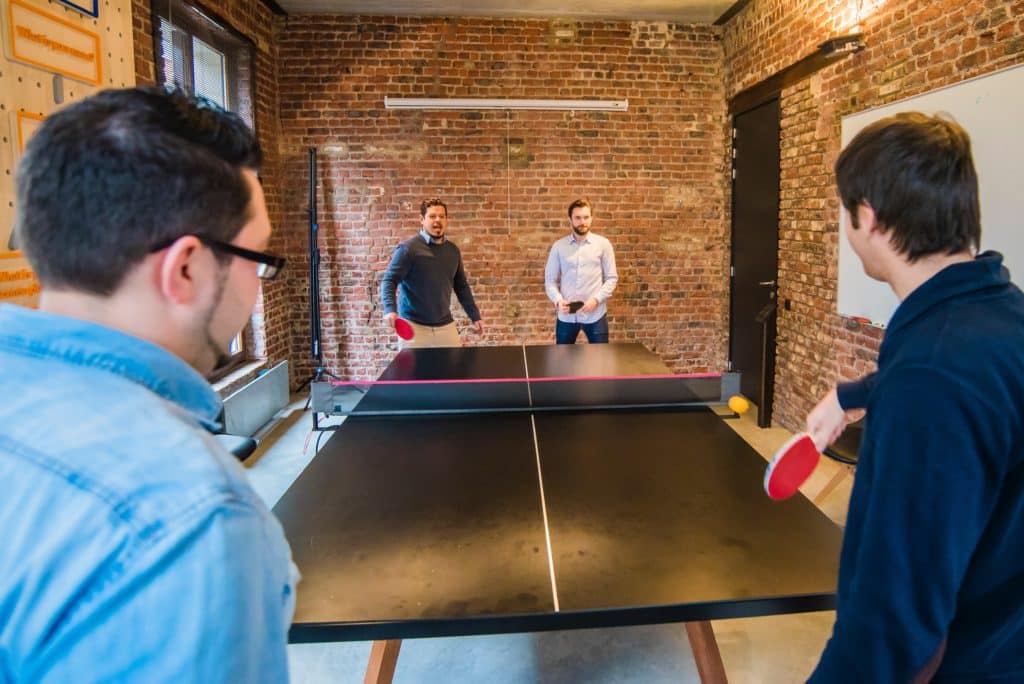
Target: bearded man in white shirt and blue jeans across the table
{"x": 580, "y": 278}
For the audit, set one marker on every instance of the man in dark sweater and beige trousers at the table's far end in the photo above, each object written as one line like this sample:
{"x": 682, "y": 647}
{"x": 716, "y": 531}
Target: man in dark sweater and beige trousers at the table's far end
{"x": 425, "y": 270}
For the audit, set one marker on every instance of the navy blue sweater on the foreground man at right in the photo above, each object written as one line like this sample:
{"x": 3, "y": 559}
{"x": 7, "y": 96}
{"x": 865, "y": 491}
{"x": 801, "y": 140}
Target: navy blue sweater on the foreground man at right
{"x": 934, "y": 545}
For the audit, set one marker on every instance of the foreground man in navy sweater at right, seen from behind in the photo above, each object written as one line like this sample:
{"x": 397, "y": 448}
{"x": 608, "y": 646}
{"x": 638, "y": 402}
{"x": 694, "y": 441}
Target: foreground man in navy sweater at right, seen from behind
{"x": 931, "y": 584}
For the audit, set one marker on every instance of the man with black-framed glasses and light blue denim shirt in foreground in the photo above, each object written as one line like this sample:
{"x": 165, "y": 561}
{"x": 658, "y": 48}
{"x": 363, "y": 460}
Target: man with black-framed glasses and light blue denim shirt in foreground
{"x": 134, "y": 548}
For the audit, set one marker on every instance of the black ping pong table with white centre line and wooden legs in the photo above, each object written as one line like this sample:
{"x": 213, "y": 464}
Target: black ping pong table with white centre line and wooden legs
{"x": 489, "y": 522}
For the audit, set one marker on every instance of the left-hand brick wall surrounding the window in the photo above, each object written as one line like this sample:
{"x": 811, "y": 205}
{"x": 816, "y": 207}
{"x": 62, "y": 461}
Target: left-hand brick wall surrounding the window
{"x": 258, "y": 24}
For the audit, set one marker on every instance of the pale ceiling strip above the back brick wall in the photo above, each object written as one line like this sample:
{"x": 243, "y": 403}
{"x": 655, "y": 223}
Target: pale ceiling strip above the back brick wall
{"x": 682, "y": 12}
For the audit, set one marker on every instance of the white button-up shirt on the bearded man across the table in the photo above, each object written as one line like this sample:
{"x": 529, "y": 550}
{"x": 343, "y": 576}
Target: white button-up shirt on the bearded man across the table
{"x": 581, "y": 269}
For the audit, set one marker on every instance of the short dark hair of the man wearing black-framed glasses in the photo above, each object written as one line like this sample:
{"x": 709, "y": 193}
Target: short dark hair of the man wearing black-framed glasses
{"x": 107, "y": 179}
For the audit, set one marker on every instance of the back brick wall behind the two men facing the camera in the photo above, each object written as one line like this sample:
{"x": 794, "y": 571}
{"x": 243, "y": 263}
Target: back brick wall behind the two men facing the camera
{"x": 656, "y": 174}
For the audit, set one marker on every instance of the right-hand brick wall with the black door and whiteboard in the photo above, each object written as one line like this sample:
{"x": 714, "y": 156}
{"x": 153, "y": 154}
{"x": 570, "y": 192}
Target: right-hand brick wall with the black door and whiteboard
{"x": 913, "y": 48}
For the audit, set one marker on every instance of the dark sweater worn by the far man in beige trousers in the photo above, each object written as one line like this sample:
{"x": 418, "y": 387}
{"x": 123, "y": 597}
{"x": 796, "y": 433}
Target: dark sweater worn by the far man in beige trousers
{"x": 425, "y": 275}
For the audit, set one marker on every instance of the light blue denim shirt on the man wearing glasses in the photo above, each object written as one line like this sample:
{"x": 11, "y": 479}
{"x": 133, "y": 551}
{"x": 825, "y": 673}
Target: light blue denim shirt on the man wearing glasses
{"x": 132, "y": 545}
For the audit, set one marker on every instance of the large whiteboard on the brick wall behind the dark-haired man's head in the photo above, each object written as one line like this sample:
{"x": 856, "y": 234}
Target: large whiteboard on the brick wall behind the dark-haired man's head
{"x": 992, "y": 109}
